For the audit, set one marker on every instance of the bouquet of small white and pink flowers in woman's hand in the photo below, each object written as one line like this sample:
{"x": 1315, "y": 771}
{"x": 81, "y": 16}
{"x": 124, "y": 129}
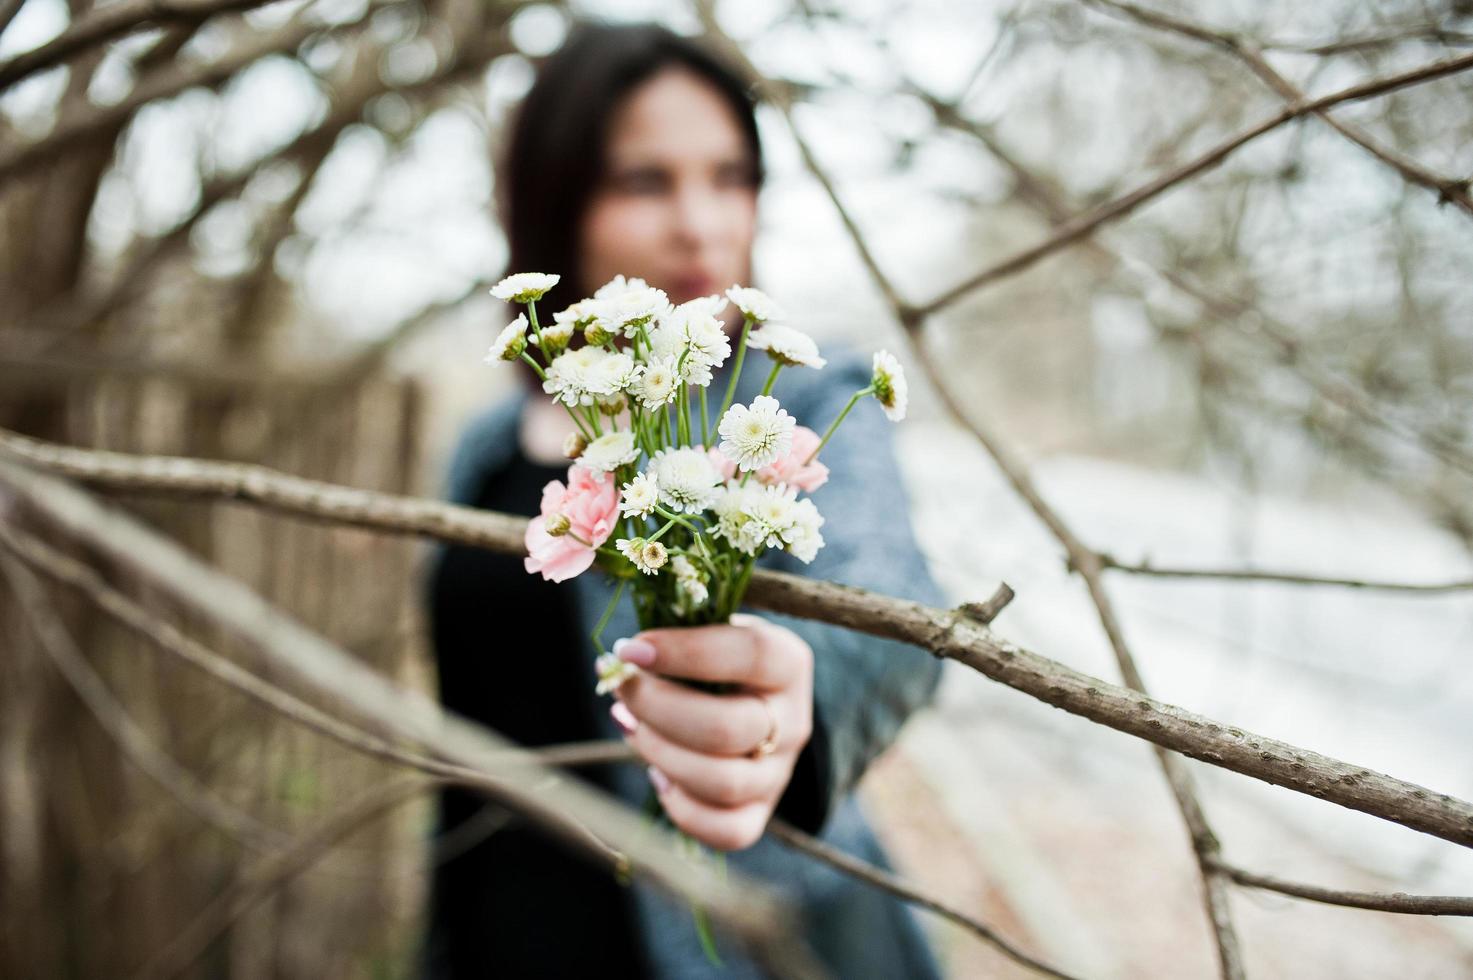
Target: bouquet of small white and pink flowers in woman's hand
{"x": 662, "y": 494}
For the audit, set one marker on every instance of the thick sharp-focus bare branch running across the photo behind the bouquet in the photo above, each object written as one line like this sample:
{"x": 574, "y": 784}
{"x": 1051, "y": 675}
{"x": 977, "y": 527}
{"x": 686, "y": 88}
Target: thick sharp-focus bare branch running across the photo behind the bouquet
{"x": 945, "y": 633}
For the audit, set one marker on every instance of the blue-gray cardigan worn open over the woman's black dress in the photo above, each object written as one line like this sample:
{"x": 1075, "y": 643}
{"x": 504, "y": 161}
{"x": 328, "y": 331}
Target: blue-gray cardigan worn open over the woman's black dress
{"x": 864, "y": 689}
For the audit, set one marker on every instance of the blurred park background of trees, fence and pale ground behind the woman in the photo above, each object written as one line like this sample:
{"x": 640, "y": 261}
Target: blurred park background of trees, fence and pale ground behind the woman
{"x": 267, "y": 235}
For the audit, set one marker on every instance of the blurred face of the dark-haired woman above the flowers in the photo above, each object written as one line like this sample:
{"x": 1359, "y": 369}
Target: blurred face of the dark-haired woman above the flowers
{"x": 678, "y": 204}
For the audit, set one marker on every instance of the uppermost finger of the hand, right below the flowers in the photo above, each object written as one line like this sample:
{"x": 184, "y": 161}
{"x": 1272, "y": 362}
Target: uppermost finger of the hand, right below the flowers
{"x": 748, "y": 651}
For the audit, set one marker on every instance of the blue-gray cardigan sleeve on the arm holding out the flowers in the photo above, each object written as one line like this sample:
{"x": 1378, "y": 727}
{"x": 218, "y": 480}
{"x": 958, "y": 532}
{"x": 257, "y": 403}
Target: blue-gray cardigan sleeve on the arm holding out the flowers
{"x": 864, "y": 687}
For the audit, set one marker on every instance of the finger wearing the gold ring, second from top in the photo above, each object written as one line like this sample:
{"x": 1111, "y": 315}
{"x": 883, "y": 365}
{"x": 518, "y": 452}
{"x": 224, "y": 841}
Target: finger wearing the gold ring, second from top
{"x": 711, "y": 724}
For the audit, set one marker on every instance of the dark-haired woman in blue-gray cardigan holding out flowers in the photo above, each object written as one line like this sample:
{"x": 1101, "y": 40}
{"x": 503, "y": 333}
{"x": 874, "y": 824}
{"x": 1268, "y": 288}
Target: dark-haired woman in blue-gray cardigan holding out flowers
{"x": 637, "y": 154}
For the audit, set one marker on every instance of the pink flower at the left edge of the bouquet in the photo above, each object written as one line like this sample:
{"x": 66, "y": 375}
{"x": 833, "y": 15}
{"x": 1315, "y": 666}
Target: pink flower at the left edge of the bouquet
{"x": 591, "y": 505}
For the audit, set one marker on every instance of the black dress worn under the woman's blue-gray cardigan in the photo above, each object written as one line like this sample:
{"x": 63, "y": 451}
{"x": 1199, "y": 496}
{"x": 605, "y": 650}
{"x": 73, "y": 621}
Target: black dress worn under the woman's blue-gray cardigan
{"x": 506, "y": 907}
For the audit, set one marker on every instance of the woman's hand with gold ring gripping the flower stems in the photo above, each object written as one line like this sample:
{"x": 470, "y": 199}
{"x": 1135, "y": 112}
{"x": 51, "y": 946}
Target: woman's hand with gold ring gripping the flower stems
{"x": 699, "y": 745}
